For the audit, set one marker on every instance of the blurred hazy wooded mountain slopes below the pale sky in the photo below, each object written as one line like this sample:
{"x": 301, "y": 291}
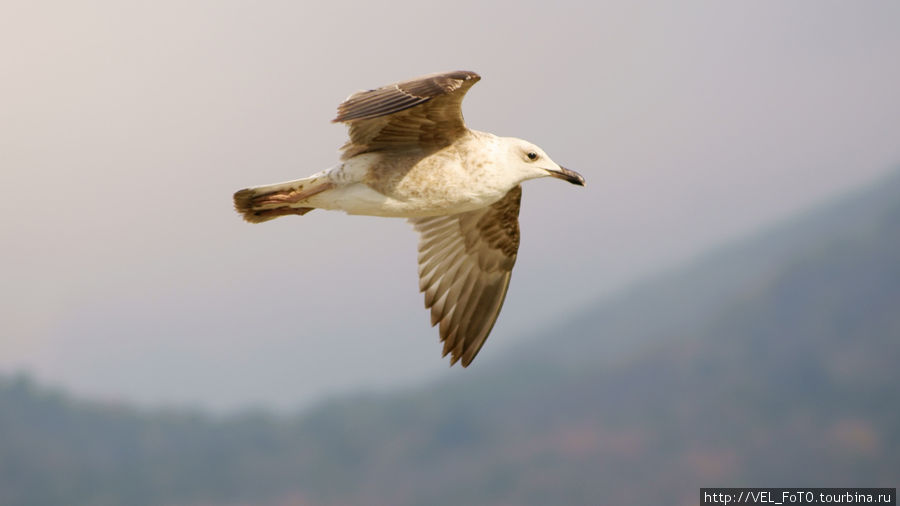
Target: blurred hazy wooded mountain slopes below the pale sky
{"x": 772, "y": 362}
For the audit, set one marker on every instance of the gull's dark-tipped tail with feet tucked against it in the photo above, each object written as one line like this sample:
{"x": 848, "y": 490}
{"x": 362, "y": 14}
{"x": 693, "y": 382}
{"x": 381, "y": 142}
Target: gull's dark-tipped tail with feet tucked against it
{"x": 264, "y": 203}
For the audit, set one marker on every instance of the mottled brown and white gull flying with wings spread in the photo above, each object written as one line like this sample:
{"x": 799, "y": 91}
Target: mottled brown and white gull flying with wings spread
{"x": 410, "y": 155}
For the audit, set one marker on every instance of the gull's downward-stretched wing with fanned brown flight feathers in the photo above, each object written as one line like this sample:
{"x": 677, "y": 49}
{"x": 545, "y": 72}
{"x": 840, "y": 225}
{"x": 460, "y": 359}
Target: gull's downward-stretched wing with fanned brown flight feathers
{"x": 465, "y": 262}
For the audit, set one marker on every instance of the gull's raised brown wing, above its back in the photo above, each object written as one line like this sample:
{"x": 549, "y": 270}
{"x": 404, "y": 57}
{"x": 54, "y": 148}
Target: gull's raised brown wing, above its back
{"x": 420, "y": 112}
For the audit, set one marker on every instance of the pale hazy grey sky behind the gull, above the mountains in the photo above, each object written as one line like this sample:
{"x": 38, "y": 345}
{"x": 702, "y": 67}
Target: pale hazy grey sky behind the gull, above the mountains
{"x": 126, "y": 126}
